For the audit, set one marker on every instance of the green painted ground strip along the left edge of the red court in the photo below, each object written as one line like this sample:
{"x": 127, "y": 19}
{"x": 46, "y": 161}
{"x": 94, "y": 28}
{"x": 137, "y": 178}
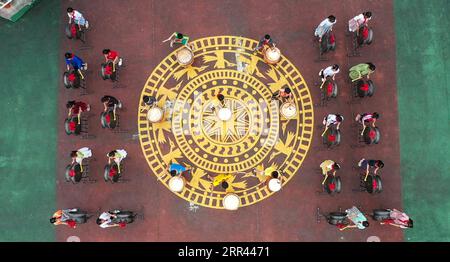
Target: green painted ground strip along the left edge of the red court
{"x": 28, "y": 97}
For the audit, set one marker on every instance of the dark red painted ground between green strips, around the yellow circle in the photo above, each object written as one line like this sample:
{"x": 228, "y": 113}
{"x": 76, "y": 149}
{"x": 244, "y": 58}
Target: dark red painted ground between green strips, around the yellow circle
{"x": 136, "y": 28}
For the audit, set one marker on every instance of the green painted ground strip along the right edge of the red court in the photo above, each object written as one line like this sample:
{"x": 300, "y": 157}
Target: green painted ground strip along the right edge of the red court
{"x": 423, "y": 82}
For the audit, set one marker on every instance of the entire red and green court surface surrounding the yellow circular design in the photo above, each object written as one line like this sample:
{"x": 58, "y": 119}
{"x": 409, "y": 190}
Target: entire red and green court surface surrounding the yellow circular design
{"x": 411, "y": 97}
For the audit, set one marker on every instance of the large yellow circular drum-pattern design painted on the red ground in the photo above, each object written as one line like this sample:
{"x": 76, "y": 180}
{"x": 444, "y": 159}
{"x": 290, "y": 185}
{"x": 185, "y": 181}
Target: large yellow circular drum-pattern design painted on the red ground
{"x": 255, "y": 136}
